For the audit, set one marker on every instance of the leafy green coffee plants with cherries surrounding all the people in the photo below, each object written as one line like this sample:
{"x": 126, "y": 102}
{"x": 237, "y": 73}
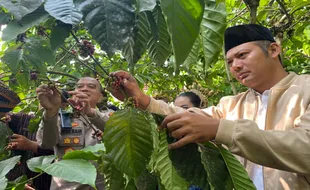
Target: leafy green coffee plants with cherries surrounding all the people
{"x": 169, "y": 46}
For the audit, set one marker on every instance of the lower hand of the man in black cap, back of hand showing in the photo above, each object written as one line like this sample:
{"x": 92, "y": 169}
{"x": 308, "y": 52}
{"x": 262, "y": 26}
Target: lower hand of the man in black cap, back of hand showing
{"x": 190, "y": 127}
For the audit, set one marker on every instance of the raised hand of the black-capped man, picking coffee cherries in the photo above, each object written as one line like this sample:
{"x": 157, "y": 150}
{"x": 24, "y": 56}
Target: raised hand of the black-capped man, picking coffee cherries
{"x": 131, "y": 88}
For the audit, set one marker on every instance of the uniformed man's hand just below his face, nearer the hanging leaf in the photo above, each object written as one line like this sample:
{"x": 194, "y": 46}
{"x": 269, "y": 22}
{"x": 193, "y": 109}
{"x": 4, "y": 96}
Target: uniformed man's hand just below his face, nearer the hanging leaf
{"x": 82, "y": 100}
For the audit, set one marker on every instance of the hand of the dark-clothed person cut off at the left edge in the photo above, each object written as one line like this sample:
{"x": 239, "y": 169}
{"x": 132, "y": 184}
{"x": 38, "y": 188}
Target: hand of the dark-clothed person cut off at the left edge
{"x": 19, "y": 142}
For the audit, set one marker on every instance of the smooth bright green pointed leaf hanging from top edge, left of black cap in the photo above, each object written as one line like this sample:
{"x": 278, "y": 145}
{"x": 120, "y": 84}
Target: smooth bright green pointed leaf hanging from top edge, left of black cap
{"x": 183, "y": 19}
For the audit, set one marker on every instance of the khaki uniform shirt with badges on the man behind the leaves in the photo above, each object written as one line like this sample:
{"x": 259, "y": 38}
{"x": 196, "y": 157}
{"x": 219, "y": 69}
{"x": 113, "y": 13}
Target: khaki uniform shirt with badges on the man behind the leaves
{"x": 51, "y": 135}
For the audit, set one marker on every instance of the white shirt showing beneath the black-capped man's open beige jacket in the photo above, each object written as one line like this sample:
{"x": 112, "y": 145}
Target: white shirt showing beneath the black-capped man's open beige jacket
{"x": 257, "y": 170}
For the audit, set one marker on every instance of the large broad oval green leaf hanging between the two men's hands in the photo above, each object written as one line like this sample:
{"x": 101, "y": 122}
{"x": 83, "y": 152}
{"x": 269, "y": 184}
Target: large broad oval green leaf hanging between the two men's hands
{"x": 128, "y": 140}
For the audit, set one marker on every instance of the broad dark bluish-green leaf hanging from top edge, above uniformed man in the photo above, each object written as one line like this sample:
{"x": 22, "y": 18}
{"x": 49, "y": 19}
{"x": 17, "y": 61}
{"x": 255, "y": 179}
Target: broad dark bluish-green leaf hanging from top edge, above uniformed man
{"x": 110, "y": 22}
